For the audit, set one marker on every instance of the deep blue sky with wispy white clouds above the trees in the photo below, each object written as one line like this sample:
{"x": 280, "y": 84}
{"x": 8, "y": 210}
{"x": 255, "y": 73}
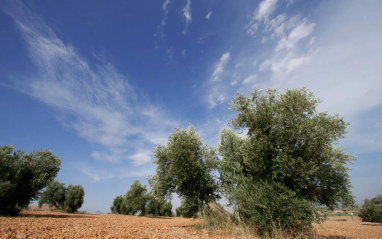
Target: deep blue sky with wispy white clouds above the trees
{"x": 100, "y": 83}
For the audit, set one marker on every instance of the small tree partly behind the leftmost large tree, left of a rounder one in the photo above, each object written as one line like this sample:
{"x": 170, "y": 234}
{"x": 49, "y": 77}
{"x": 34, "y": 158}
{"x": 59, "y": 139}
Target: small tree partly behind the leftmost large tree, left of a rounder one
{"x": 54, "y": 195}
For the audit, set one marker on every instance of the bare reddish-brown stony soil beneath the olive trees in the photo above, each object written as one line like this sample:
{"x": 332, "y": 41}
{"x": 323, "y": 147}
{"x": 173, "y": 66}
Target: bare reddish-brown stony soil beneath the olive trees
{"x": 44, "y": 224}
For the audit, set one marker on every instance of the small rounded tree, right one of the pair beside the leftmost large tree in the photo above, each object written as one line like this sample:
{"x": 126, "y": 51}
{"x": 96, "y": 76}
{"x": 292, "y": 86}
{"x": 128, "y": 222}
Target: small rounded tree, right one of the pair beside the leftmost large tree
{"x": 74, "y": 198}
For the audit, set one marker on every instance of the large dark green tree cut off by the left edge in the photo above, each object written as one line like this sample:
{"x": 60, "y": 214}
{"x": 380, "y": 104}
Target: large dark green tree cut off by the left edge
{"x": 23, "y": 176}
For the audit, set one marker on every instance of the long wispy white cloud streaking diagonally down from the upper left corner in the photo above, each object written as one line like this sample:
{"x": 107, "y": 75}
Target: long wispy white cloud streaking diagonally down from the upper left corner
{"x": 94, "y": 100}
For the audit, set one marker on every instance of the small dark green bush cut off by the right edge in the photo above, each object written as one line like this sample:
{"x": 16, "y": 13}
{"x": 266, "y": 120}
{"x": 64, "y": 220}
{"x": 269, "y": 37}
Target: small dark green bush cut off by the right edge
{"x": 371, "y": 210}
